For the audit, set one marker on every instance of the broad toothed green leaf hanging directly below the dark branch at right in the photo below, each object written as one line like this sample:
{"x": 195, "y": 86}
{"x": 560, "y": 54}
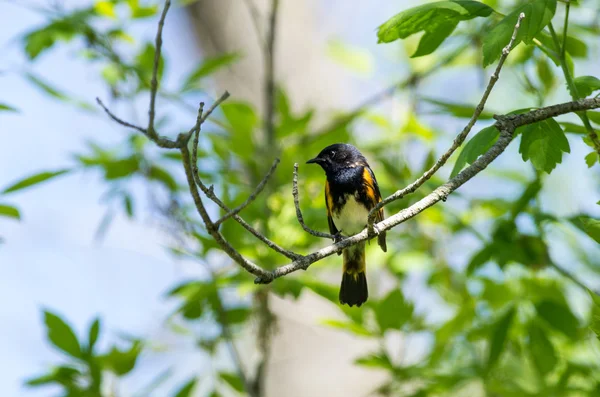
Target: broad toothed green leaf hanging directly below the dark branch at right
{"x": 543, "y": 143}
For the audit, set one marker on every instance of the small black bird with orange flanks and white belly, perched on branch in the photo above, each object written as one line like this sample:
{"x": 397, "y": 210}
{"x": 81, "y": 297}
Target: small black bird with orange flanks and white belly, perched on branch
{"x": 351, "y": 191}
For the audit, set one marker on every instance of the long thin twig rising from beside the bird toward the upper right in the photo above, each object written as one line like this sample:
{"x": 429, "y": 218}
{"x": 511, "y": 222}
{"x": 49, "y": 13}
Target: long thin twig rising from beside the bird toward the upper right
{"x": 457, "y": 141}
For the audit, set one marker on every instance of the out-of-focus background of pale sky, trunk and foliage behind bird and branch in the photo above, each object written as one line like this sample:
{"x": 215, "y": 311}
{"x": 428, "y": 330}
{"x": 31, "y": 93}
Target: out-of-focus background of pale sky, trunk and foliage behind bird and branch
{"x": 483, "y": 295}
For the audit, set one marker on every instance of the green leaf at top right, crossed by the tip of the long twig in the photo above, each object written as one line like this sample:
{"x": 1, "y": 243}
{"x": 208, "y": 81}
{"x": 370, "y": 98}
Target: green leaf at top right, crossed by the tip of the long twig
{"x": 538, "y": 13}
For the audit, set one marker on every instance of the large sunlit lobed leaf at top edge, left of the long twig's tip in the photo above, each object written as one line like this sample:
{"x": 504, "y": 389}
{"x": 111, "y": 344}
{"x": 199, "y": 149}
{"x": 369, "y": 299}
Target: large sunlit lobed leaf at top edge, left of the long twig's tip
{"x": 438, "y": 20}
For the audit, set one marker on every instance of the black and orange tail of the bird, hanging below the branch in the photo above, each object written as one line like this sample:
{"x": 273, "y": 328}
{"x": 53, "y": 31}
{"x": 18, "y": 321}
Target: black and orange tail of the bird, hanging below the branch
{"x": 353, "y": 290}
